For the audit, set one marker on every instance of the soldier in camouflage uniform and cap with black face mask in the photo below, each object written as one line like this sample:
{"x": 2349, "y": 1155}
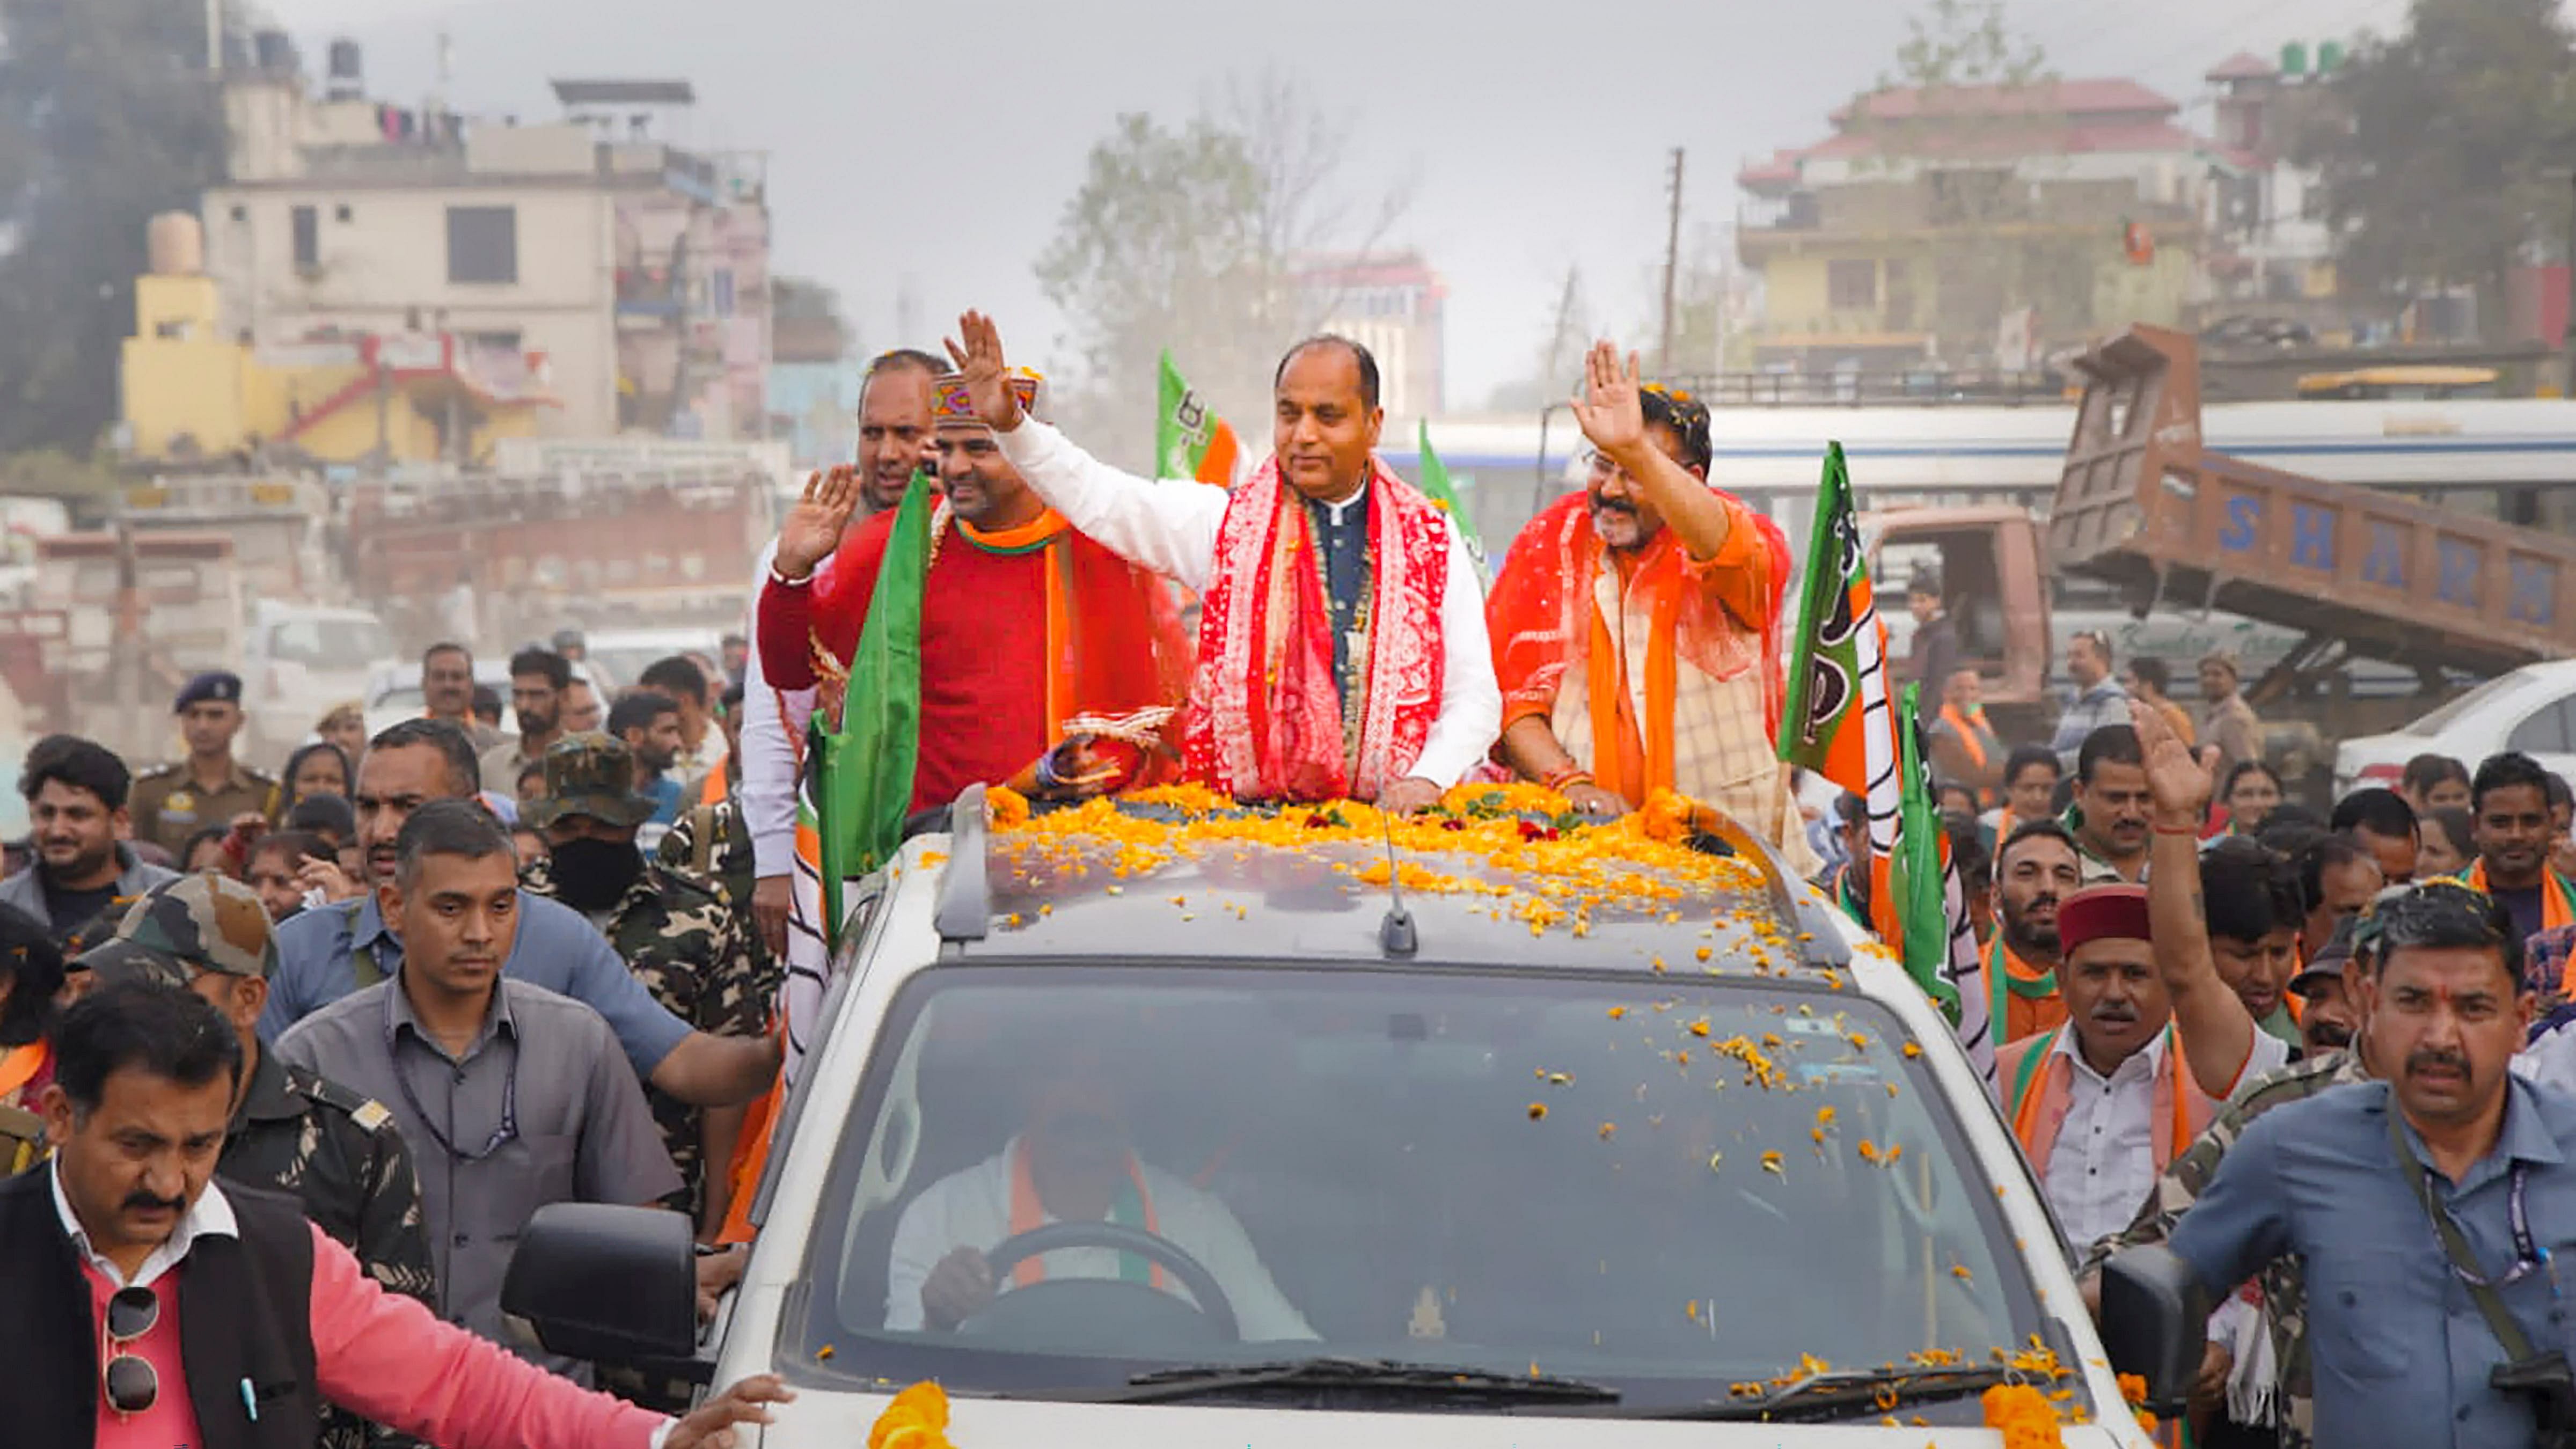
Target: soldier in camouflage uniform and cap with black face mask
{"x": 679, "y": 937}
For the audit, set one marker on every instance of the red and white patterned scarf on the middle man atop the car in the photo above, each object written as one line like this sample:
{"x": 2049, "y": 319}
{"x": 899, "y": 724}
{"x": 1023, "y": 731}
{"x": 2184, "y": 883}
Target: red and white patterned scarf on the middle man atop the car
{"x": 1269, "y": 721}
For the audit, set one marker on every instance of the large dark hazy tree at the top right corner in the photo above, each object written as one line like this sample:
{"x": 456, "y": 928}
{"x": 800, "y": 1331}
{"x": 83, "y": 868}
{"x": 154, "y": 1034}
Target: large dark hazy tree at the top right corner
{"x": 2443, "y": 153}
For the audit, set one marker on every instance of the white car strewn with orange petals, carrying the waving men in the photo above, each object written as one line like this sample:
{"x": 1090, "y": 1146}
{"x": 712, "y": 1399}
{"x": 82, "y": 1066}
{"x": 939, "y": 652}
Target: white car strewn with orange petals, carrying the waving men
{"x": 1452, "y": 1174}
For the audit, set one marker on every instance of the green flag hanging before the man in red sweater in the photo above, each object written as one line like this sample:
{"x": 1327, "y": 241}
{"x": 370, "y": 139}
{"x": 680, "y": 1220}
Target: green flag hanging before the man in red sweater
{"x": 864, "y": 767}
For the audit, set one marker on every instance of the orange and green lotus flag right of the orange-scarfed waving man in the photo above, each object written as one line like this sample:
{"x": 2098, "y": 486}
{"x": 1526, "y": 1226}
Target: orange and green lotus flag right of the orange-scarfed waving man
{"x": 1841, "y": 723}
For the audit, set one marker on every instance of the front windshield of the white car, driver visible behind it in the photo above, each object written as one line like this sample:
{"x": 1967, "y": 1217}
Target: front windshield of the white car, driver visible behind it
{"x": 1665, "y": 1190}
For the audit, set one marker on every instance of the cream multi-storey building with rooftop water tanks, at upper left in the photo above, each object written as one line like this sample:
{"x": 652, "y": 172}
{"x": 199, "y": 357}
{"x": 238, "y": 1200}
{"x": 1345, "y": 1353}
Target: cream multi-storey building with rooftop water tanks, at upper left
{"x": 620, "y": 269}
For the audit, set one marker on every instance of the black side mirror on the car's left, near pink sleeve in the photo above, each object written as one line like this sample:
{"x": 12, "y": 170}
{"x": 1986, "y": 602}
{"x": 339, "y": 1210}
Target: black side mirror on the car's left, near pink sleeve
{"x": 604, "y": 1283}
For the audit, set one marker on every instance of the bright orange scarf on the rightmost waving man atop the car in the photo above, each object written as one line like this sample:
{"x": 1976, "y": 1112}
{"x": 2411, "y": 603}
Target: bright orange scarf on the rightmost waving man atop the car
{"x": 1547, "y": 625}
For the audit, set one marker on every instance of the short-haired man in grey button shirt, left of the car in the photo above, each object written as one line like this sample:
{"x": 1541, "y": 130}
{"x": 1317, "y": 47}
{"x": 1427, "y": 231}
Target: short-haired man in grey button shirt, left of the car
{"x": 511, "y": 1097}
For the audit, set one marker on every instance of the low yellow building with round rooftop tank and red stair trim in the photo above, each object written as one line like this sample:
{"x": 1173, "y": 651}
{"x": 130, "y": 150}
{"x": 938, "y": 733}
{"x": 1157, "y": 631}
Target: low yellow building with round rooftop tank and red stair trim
{"x": 194, "y": 391}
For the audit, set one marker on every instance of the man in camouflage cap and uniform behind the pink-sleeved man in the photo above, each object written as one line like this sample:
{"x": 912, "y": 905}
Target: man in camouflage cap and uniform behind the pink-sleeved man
{"x": 331, "y": 1149}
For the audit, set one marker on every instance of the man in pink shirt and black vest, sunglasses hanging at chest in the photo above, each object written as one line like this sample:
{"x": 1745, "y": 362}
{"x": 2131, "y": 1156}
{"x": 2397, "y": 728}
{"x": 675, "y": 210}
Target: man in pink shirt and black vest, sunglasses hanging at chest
{"x": 151, "y": 1306}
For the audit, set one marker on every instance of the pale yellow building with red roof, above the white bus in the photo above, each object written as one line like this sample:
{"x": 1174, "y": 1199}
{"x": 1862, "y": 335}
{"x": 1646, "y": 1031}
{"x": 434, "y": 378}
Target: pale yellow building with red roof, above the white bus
{"x": 1977, "y": 226}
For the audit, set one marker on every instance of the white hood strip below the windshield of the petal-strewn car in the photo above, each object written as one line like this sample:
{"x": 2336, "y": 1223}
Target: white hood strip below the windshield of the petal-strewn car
{"x": 838, "y": 1419}
